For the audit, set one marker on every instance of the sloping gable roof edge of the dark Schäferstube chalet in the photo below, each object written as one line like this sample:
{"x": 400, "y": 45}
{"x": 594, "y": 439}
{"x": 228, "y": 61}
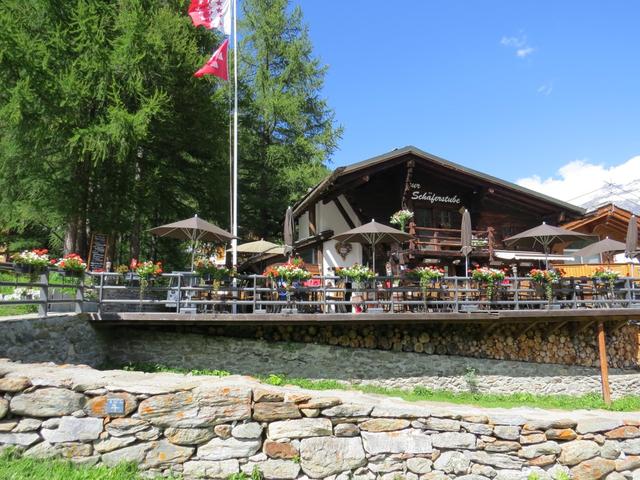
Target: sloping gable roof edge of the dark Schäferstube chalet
{"x": 389, "y": 157}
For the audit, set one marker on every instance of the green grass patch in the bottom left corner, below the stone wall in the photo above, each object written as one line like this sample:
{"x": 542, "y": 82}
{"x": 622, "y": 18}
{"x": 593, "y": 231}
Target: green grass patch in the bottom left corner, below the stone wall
{"x": 15, "y": 467}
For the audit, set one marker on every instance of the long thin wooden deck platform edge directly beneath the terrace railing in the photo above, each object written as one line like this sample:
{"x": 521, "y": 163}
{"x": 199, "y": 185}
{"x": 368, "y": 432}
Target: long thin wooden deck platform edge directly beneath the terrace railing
{"x": 487, "y": 318}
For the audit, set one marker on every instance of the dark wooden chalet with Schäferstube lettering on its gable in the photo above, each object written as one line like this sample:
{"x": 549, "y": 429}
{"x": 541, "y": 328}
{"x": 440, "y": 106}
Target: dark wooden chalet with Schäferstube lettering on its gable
{"x": 437, "y": 191}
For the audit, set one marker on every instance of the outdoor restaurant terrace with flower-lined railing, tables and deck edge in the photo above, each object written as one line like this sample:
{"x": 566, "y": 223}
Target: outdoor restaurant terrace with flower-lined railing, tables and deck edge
{"x": 257, "y": 299}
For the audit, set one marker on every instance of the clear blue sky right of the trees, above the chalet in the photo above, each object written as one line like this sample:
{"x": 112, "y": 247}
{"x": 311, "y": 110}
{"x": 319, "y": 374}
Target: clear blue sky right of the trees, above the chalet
{"x": 511, "y": 88}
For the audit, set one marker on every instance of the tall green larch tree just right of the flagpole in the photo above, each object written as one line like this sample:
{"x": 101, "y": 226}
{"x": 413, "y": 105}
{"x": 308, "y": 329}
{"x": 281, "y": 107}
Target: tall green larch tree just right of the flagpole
{"x": 288, "y": 131}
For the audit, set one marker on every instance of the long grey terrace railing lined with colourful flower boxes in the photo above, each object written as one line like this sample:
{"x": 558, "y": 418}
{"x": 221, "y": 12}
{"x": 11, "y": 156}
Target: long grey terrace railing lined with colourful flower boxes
{"x": 189, "y": 293}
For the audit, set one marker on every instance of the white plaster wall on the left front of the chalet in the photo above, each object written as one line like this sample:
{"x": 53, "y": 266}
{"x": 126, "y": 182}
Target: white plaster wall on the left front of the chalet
{"x": 329, "y": 218}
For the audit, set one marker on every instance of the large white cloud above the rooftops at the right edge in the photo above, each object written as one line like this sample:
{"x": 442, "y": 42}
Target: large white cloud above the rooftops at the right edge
{"x": 583, "y": 183}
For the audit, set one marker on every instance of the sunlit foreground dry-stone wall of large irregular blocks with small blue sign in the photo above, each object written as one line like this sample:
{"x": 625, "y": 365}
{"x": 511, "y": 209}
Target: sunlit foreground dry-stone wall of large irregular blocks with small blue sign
{"x": 213, "y": 428}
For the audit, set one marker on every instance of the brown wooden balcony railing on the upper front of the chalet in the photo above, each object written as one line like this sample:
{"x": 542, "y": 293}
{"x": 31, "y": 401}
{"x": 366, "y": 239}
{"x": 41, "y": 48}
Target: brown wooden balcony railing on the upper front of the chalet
{"x": 449, "y": 240}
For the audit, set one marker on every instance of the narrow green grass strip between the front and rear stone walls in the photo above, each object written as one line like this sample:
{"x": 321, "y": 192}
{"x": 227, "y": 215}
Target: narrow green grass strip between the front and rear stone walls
{"x": 560, "y": 402}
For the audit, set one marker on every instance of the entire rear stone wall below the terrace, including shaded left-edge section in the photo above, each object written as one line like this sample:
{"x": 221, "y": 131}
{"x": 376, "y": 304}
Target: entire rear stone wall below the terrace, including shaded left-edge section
{"x": 72, "y": 339}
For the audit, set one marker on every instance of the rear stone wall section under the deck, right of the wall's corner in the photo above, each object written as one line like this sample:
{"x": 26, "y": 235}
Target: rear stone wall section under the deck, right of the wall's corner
{"x": 178, "y": 348}
